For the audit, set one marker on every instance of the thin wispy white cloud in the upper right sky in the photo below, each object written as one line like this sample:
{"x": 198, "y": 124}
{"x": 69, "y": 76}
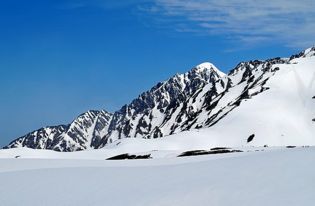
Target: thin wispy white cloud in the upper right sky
{"x": 249, "y": 21}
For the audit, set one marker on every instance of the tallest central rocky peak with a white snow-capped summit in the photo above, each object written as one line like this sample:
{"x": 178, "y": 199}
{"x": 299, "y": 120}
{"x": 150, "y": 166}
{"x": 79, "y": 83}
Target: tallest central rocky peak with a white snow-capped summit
{"x": 157, "y": 112}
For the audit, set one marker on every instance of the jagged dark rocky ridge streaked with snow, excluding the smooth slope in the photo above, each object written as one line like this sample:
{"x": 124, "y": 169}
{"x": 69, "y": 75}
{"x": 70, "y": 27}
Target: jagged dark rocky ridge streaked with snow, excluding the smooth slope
{"x": 197, "y": 99}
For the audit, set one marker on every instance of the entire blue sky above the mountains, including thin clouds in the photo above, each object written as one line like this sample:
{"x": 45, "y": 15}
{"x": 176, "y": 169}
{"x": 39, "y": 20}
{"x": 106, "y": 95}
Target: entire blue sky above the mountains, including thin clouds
{"x": 61, "y": 58}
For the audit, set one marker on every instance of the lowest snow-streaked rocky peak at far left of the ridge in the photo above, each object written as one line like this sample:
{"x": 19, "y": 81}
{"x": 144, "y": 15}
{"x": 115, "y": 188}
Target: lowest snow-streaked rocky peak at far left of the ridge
{"x": 87, "y": 128}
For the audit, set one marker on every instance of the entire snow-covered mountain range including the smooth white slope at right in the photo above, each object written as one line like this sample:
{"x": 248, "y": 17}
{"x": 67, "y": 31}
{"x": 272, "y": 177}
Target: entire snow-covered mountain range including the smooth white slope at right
{"x": 258, "y": 102}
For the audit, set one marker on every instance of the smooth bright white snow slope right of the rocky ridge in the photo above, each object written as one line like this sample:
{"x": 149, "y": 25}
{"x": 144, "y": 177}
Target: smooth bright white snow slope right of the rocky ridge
{"x": 282, "y": 115}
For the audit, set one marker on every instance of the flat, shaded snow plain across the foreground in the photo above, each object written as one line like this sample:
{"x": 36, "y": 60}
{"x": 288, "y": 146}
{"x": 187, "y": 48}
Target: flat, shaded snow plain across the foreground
{"x": 275, "y": 176}
